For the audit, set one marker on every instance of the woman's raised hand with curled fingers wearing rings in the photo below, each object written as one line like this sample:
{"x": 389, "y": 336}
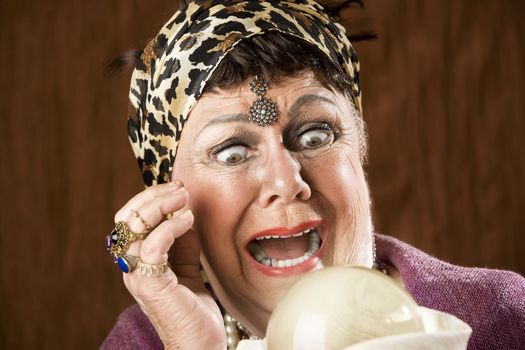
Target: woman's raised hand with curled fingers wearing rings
{"x": 177, "y": 302}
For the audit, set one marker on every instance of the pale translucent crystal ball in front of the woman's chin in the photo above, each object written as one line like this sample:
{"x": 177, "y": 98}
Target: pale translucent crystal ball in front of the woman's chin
{"x": 337, "y": 307}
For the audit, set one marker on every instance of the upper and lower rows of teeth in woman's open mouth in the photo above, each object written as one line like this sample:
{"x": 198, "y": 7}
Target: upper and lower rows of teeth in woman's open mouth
{"x": 259, "y": 255}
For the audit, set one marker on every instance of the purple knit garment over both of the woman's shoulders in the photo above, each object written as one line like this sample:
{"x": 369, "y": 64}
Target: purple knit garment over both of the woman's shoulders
{"x": 492, "y": 302}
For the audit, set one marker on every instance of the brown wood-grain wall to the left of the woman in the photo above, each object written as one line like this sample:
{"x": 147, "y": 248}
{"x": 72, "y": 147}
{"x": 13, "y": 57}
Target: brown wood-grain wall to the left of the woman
{"x": 66, "y": 166}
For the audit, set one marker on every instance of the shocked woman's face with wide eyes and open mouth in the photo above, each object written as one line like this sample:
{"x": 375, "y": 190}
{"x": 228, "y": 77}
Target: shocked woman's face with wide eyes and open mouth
{"x": 271, "y": 203}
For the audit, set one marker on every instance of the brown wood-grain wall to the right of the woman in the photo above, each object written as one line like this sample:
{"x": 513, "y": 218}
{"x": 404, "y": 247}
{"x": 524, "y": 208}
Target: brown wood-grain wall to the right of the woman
{"x": 443, "y": 89}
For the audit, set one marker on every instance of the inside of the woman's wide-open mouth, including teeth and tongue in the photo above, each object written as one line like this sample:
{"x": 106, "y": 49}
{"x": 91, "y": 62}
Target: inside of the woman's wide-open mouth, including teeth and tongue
{"x": 286, "y": 250}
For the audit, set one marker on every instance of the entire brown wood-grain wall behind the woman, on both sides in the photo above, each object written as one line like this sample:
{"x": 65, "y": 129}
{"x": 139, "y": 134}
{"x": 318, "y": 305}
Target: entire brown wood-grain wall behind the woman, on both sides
{"x": 444, "y": 91}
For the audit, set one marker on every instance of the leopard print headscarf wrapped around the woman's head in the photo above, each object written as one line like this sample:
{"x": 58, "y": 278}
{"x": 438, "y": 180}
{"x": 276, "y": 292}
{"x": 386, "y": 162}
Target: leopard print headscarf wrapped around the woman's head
{"x": 176, "y": 64}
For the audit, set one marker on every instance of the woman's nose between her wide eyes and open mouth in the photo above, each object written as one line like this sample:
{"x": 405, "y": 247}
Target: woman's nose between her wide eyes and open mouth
{"x": 281, "y": 180}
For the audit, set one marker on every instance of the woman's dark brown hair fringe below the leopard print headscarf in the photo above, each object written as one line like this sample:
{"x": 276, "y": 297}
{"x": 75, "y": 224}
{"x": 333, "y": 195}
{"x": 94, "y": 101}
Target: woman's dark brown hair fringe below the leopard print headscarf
{"x": 275, "y": 56}
